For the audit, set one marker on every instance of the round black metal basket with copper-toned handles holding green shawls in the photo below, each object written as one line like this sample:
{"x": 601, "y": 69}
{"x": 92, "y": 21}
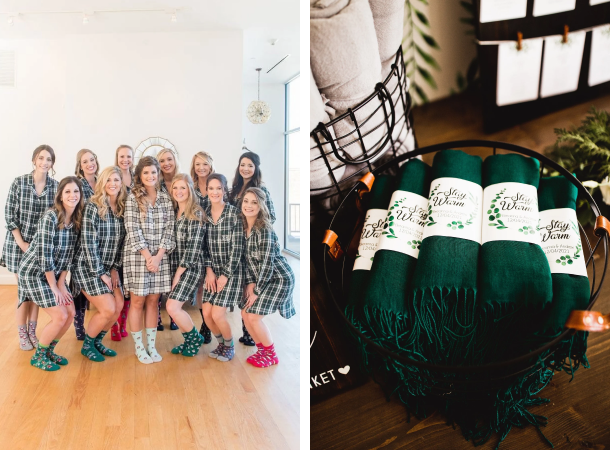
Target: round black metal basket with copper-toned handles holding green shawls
{"x": 439, "y": 379}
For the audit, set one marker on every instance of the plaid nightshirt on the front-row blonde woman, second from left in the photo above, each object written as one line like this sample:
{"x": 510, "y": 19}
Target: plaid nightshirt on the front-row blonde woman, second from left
{"x": 99, "y": 251}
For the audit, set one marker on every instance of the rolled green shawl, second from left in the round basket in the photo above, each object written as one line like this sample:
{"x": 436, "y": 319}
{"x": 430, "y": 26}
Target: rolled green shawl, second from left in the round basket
{"x": 385, "y": 305}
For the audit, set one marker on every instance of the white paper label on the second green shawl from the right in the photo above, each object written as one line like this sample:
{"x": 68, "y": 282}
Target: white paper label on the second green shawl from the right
{"x": 510, "y": 213}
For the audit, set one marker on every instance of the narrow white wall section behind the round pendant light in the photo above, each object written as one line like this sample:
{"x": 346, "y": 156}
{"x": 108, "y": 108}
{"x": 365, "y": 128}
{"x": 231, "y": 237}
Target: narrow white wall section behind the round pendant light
{"x": 268, "y": 141}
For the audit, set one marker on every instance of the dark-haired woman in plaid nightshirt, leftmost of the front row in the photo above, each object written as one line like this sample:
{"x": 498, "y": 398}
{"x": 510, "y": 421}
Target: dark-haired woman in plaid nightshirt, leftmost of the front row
{"x": 45, "y": 265}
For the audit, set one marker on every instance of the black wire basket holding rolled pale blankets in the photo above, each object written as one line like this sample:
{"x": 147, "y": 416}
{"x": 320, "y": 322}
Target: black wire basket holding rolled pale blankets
{"x": 364, "y": 147}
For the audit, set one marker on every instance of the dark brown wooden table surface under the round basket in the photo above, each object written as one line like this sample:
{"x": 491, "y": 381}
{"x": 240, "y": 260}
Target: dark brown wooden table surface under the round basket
{"x": 578, "y": 413}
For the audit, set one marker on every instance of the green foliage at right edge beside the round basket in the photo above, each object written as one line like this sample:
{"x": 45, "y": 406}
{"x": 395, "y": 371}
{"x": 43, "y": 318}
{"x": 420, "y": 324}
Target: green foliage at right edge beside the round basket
{"x": 585, "y": 152}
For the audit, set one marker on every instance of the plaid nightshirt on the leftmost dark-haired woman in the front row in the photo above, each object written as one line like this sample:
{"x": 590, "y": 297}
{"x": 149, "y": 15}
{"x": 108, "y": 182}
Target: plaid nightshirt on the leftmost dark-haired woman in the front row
{"x": 50, "y": 250}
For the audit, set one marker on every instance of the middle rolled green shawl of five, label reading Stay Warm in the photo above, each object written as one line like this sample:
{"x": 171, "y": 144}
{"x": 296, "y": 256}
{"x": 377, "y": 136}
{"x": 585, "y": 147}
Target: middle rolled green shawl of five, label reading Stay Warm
{"x": 445, "y": 279}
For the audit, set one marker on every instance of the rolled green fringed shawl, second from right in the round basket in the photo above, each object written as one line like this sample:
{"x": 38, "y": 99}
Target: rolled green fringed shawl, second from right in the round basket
{"x": 515, "y": 278}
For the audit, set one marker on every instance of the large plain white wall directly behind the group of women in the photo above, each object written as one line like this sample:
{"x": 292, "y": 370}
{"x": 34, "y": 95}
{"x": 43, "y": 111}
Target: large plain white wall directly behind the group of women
{"x": 99, "y": 91}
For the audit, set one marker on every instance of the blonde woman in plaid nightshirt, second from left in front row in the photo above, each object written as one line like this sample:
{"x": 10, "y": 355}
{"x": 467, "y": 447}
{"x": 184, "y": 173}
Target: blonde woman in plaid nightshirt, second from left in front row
{"x": 98, "y": 259}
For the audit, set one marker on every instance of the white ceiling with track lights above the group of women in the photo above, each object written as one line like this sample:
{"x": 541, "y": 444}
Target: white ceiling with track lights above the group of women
{"x": 260, "y": 20}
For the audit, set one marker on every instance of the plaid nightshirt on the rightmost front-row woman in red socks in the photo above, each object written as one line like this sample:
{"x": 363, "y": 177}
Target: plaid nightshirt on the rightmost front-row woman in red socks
{"x": 274, "y": 278}
